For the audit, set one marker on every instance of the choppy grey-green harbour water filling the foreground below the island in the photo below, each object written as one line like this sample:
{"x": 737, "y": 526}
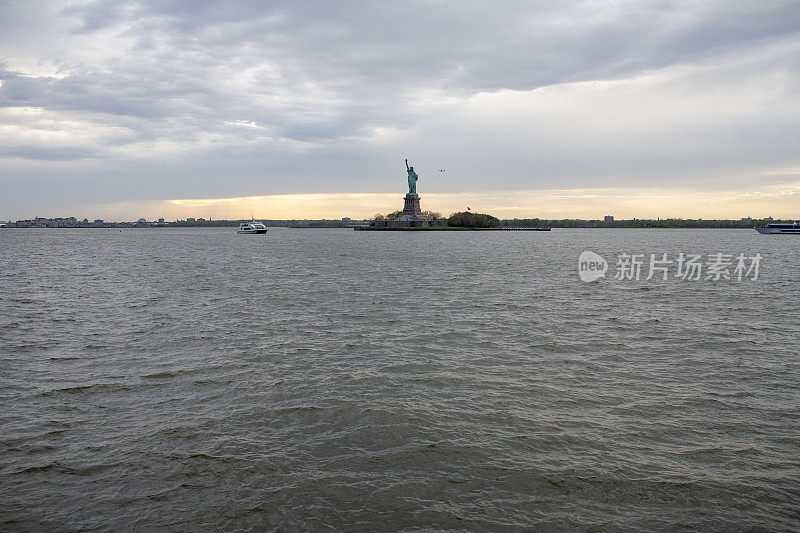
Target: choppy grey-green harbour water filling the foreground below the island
{"x": 339, "y": 380}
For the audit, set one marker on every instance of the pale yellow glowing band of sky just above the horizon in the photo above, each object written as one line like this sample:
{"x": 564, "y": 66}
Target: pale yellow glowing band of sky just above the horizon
{"x": 778, "y": 201}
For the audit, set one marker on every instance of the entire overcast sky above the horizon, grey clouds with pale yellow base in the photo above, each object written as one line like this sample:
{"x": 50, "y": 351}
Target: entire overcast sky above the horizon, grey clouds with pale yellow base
{"x": 534, "y": 108}
